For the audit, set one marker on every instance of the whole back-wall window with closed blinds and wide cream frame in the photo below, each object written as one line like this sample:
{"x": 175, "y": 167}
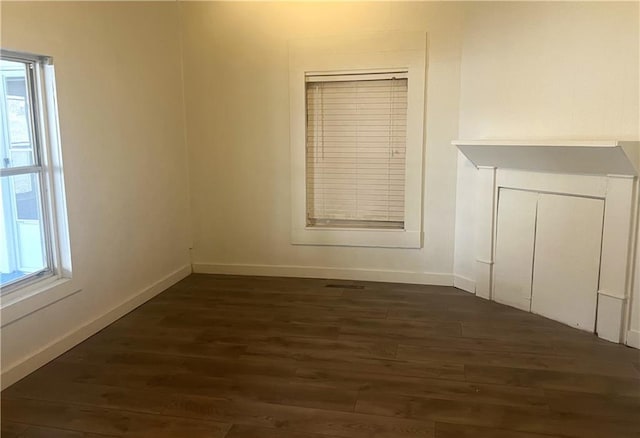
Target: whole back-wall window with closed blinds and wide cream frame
{"x": 357, "y": 109}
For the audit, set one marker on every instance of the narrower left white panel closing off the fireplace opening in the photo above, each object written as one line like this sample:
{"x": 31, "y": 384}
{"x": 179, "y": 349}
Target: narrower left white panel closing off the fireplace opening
{"x": 515, "y": 236}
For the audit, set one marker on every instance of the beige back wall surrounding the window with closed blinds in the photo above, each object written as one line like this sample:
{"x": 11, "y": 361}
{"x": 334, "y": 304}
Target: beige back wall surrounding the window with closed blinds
{"x": 236, "y": 88}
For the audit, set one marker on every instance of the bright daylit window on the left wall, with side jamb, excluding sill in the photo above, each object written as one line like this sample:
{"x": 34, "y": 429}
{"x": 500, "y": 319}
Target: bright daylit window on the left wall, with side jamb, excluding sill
{"x": 29, "y": 232}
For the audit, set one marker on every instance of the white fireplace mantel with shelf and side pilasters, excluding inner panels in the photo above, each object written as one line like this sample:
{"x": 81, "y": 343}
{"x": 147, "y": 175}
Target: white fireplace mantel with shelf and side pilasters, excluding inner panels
{"x": 608, "y": 173}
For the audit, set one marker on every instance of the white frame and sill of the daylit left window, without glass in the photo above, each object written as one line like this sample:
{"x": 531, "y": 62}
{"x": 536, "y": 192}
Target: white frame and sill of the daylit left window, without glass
{"x": 33, "y": 293}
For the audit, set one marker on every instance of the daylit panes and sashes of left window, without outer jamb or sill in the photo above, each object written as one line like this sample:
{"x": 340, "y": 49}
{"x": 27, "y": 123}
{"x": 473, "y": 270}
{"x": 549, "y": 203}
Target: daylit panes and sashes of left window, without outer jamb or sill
{"x": 25, "y": 246}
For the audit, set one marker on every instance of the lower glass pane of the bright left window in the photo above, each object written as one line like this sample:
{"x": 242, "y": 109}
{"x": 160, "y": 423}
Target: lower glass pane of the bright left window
{"x": 22, "y": 246}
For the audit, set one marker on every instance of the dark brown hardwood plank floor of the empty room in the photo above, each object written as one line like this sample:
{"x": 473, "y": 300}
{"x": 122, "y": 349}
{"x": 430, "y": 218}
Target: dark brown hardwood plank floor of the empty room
{"x": 258, "y": 357}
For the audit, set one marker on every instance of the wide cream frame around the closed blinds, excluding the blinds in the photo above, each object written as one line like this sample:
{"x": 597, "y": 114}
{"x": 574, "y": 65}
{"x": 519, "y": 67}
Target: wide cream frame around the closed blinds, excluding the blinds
{"x": 359, "y": 54}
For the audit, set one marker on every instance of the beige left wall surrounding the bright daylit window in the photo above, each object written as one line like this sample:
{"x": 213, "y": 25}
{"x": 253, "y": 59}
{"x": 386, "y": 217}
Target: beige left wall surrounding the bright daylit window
{"x": 121, "y": 118}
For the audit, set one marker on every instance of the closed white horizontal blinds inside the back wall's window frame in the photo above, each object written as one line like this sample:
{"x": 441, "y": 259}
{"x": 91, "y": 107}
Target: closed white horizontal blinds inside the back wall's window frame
{"x": 356, "y": 144}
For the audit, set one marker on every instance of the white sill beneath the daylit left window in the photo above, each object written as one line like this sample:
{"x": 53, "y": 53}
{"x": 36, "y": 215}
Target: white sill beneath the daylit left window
{"x": 32, "y": 298}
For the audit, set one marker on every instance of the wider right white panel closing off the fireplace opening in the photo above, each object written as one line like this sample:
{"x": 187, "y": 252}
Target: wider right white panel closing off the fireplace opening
{"x": 567, "y": 259}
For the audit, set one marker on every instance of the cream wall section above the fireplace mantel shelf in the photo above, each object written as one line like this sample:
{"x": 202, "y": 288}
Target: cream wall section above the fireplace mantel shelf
{"x": 561, "y": 70}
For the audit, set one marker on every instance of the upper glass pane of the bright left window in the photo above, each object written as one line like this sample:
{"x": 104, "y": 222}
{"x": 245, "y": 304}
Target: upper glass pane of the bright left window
{"x": 17, "y": 142}
